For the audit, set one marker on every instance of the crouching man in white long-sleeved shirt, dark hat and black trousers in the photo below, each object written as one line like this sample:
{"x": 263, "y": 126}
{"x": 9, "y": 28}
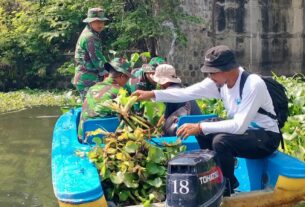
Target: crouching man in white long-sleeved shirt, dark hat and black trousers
{"x": 246, "y": 133}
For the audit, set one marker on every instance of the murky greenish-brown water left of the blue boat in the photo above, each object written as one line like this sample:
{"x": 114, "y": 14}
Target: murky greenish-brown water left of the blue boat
{"x": 25, "y": 158}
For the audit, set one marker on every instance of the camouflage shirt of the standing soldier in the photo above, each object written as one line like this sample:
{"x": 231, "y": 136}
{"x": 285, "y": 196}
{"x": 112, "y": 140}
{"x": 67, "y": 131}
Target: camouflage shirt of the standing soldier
{"x": 89, "y": 59}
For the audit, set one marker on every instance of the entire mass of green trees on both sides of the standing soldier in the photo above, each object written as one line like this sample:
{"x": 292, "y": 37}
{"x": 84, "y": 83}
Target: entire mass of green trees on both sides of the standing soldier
{"x": 37, "y": 37}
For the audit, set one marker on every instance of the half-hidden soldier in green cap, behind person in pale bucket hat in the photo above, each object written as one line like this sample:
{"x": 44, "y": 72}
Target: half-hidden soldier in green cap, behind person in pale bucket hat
{"x": 142, "y": 80}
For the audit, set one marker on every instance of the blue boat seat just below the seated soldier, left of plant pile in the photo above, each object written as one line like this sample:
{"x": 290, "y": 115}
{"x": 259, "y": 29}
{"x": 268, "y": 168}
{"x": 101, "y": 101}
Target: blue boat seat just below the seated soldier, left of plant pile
{"x": 109, "y": 124}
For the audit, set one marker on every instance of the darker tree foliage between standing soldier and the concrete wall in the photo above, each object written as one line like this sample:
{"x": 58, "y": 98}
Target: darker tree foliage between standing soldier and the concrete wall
{"x": 138, "y": 23}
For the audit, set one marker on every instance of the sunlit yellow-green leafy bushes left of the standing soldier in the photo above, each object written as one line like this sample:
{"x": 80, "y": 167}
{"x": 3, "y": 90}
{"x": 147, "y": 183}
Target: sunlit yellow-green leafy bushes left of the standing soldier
{"x": 35, "y": 37}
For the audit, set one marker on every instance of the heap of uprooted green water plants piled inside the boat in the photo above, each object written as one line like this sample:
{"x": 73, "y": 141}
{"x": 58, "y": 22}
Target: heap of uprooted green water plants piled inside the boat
{"x": 132, "y": 167}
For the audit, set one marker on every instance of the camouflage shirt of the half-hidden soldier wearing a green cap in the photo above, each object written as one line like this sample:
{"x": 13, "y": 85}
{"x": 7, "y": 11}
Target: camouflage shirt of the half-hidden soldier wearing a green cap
{"x": 140, "y": 82}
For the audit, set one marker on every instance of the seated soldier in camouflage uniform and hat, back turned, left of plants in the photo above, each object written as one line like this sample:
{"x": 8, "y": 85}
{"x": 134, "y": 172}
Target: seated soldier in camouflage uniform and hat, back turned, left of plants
{"x": 119, "y": 74}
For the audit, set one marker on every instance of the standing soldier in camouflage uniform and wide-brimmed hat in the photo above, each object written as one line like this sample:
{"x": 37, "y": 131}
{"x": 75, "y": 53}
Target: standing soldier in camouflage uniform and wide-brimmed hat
{"x": 89, "y": 58}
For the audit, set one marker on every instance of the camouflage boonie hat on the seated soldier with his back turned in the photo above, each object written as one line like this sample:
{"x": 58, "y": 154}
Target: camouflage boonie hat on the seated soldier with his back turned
{"x": 120, "y": 65}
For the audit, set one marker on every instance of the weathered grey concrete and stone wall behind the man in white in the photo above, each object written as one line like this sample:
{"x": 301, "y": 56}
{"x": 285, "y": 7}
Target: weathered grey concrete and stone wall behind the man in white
{"x": 267, "y": 35}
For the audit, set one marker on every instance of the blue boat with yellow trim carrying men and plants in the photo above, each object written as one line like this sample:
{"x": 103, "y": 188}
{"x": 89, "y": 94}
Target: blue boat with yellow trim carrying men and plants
{"x": 272, "y": 181}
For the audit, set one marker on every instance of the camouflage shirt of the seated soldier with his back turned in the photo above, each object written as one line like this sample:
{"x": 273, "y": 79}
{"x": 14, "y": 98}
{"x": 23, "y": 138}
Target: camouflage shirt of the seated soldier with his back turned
{"x": 96, "y": 95}
